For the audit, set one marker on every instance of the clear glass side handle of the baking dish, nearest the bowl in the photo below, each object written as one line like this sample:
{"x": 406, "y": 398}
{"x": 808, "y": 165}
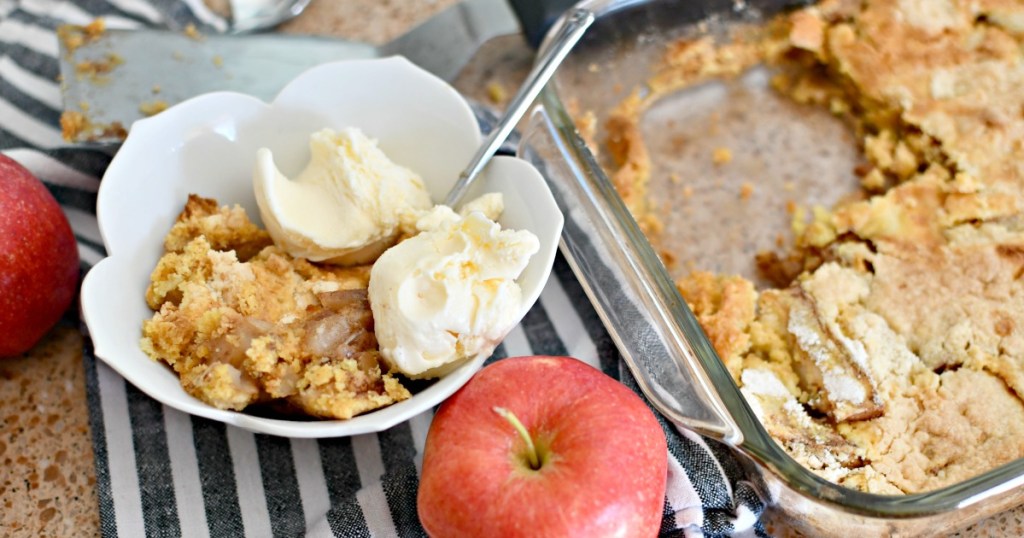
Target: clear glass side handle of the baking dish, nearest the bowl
{"x": 655, "y": 330}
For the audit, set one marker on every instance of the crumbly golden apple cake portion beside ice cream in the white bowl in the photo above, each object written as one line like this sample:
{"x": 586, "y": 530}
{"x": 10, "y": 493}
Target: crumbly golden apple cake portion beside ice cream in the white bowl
{"x": 267, "y": 328}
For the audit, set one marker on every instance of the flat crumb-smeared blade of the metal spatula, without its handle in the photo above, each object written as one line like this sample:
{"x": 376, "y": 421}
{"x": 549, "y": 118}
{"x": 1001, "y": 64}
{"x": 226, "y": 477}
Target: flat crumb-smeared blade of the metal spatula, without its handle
{"x": 127, "y": 75}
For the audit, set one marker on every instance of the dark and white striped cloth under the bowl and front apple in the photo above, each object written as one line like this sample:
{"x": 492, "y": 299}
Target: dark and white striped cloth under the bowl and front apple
{"x": 161, "y": 473}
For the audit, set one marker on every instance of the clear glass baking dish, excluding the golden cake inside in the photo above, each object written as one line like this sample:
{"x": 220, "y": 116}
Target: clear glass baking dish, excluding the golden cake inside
{"x": 810, "y": 158}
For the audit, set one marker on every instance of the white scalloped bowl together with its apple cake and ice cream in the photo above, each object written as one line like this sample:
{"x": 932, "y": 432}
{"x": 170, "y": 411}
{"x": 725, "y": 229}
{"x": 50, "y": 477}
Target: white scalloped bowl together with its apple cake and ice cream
{"x": 285, "y": 268}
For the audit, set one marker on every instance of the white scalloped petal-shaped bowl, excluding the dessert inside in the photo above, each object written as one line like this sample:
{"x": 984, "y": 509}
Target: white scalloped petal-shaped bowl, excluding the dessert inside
{"x": 208, "y": 146}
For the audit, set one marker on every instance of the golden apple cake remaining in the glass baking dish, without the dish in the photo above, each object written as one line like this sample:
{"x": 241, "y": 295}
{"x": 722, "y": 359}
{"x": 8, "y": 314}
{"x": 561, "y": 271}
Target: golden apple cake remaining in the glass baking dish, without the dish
{"x": 889, "y": 354}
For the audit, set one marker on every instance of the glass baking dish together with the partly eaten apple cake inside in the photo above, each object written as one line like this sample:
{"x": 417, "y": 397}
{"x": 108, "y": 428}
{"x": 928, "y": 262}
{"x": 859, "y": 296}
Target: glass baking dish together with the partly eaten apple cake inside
{"x": 822, "y": 214}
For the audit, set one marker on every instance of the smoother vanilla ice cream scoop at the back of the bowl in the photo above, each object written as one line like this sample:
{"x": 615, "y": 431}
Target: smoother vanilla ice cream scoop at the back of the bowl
{"x": 348, "y": 206}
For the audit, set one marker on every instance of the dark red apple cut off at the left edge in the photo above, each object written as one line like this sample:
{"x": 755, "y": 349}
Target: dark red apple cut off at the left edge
{"x": 38, "y": 260}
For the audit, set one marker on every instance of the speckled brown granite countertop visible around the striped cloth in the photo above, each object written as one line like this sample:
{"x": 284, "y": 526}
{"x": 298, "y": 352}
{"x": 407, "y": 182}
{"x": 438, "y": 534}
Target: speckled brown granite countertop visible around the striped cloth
{"x": 47, "y": 468}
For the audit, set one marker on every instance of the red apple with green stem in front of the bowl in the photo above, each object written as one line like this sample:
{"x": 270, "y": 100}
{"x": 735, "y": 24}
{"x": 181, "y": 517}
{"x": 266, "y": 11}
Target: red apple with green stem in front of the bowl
{"x": 602, "y": 457}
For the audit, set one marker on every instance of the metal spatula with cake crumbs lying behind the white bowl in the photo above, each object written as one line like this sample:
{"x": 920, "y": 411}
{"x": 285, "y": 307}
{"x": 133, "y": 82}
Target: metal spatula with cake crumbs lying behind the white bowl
{"x": 152, "y": 69}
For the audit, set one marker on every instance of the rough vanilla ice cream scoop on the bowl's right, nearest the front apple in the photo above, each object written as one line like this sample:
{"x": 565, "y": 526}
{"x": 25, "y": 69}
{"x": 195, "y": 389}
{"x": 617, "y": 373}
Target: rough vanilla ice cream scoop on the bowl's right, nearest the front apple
{"x": 450, "y": 293}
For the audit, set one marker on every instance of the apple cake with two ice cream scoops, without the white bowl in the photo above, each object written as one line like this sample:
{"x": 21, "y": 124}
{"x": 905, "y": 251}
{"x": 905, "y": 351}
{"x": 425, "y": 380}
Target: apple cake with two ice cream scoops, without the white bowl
{"x": 357, "y": 281}
